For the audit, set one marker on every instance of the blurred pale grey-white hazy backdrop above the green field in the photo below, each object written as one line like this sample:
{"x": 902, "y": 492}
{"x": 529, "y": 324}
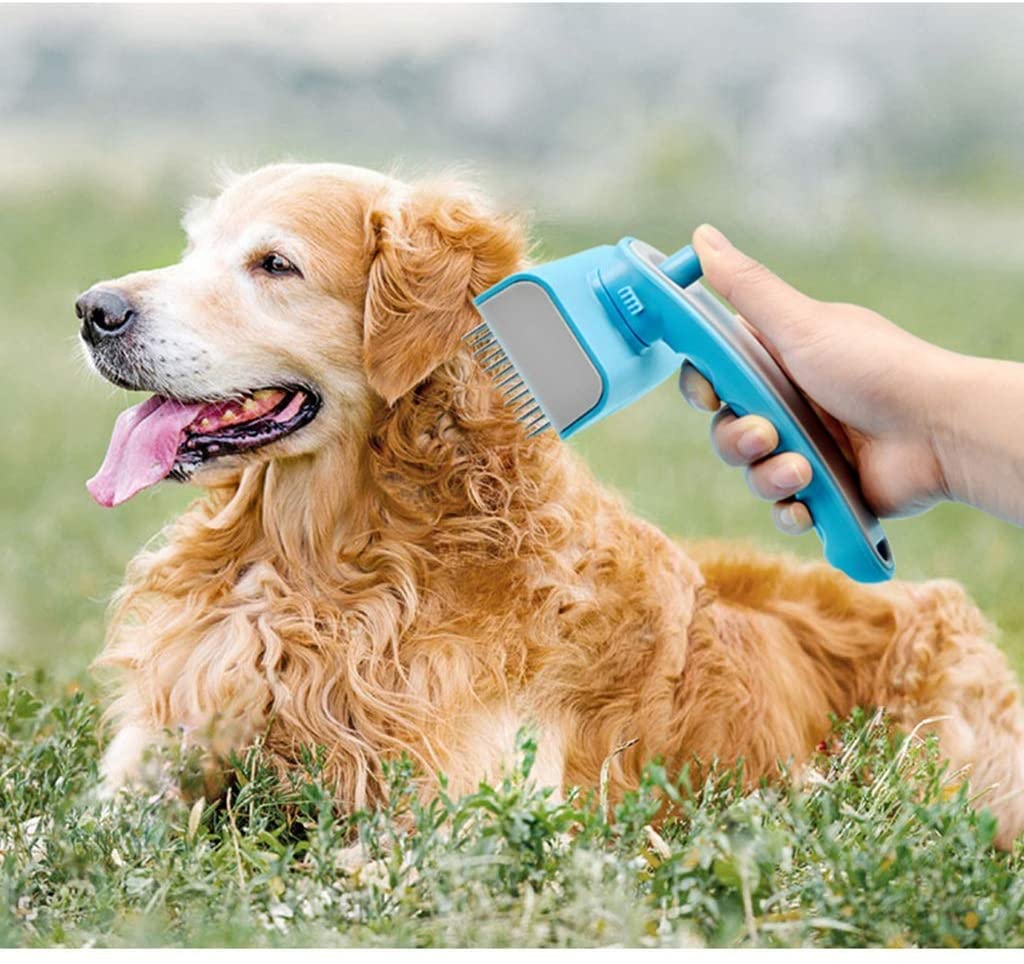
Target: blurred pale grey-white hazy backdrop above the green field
{"x": 815, "y": 119}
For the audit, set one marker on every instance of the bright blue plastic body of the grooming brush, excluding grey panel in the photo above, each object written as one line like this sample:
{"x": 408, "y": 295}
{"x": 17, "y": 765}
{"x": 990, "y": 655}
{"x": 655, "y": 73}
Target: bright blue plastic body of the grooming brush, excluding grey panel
{"x": 637, "y": 329}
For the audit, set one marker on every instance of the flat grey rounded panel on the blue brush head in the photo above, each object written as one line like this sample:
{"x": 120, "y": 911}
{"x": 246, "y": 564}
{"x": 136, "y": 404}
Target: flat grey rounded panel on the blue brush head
{"x": 537, "y": 340}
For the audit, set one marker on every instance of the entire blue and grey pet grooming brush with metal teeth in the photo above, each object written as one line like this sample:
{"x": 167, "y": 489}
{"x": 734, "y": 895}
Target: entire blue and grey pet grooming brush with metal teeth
{"x": 574, "y": 341}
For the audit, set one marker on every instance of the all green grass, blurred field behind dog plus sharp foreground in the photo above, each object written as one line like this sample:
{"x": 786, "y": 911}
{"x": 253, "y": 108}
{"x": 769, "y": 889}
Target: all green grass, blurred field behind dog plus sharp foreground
{"x": 880, "y": 852}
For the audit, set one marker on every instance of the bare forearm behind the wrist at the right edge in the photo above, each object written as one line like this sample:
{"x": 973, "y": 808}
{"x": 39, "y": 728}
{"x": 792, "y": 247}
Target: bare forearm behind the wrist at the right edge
{"x": 978, "y": 435}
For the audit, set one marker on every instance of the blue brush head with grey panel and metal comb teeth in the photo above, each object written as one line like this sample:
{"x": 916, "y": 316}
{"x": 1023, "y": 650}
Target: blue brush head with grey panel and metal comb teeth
{"x": 556, "y": 343}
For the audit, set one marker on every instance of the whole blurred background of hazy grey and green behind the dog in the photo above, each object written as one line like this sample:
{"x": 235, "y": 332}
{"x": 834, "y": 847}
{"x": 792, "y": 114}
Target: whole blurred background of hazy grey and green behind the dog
{"x": 871, "y": 154}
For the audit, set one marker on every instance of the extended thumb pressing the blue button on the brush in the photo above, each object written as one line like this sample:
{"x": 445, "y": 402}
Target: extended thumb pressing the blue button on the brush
{"x": 777, "y": 310}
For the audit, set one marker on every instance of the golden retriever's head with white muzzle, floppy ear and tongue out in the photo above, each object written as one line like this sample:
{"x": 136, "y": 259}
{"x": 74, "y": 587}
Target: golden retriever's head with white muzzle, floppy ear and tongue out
{"x": 308, "y": 296}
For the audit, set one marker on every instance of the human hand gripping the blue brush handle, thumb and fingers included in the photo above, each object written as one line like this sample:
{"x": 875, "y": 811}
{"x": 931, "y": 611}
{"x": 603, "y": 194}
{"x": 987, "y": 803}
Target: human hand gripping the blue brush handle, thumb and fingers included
{"x": 877, "y": 388}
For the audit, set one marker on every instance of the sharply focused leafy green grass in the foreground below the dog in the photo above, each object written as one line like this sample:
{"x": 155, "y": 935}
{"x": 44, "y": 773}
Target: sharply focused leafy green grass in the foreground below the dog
{"x": 880, "y": 848}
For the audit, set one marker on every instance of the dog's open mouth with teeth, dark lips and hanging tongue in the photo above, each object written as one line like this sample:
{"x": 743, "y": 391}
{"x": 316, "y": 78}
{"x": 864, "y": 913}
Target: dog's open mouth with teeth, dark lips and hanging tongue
{"x": 165, "y": 437}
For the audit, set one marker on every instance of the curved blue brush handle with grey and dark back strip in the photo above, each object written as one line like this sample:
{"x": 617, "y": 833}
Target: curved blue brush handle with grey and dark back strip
{"x": 681, "y": 313}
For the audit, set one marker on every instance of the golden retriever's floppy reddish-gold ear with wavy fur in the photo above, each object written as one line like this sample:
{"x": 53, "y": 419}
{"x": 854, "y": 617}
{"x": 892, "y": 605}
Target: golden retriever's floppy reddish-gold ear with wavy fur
{"x": 435, "y": 253}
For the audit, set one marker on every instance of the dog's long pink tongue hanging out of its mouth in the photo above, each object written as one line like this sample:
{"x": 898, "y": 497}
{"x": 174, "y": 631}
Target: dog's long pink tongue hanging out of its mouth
{"x": 143, "y": 447}
